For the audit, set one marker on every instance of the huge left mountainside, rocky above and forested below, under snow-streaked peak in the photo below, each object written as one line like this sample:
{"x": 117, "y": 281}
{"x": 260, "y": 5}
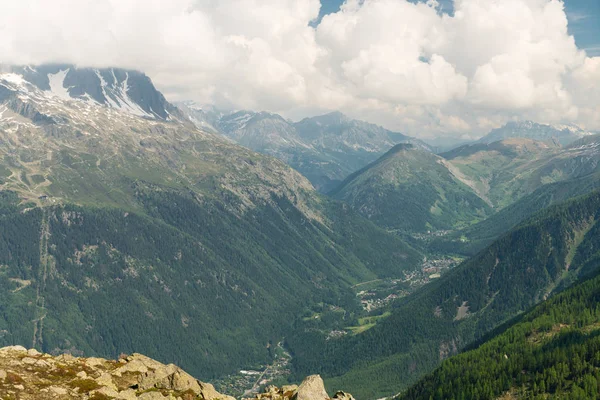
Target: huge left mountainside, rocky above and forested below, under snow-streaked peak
{"x": 124, "y": 233}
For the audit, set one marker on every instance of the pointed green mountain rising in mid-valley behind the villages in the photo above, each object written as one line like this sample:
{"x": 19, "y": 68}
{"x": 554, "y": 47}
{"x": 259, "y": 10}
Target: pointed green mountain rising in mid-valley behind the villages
{"x": 411, "y": 190}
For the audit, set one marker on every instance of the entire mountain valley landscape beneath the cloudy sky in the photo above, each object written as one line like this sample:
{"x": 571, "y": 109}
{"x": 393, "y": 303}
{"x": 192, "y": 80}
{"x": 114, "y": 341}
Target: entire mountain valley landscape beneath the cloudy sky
{"x": 252, "y": 250}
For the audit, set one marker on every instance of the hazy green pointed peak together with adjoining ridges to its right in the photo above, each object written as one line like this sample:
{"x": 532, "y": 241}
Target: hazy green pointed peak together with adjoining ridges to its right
{"x": 413, "y": 191}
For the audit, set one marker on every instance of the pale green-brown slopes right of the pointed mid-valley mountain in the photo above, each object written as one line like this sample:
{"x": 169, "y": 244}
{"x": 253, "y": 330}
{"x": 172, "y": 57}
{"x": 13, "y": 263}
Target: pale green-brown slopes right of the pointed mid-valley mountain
{"x": 507, "y": 170}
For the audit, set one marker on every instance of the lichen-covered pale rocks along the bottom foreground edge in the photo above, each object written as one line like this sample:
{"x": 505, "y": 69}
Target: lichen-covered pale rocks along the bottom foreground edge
{"x": 29, "y": 374}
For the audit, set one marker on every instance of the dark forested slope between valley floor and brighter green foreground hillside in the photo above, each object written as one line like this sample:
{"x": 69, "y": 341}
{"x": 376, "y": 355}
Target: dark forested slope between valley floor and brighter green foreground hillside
{"x": 522, "y": 268}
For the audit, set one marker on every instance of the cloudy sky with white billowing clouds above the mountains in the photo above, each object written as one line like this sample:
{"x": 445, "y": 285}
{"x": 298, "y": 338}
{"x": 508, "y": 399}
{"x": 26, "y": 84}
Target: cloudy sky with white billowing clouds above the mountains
{"x": 453, "y": 68}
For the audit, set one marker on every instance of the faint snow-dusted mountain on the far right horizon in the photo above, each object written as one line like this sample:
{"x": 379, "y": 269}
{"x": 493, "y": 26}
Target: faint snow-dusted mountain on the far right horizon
{"x": 562, "y": 134}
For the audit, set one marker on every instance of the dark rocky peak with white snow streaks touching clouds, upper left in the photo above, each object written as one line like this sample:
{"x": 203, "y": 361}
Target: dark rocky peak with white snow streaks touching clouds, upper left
{"x": 127, "y": 90}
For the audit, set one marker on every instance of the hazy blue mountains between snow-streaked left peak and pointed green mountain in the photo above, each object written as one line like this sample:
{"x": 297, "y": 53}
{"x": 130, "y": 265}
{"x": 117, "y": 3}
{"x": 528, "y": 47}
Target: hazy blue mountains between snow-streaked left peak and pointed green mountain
{"x": 325, "y": 149}
